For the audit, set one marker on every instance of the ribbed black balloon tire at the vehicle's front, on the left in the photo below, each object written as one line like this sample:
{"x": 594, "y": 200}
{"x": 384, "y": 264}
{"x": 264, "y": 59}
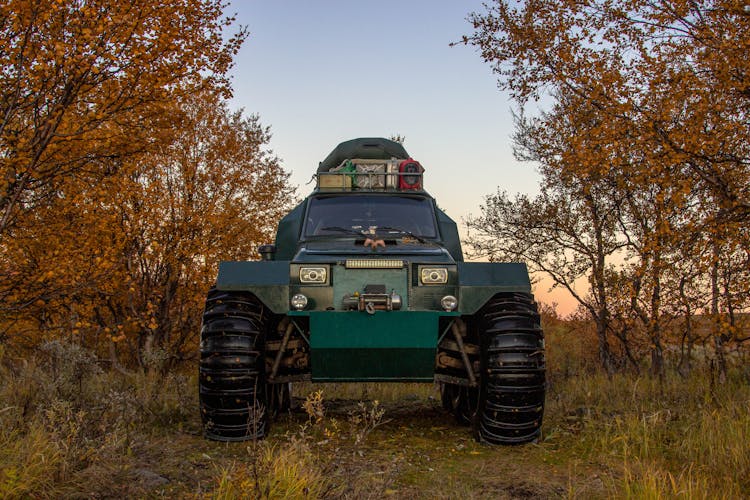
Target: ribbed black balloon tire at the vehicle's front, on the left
{"x": 232, "y": 386}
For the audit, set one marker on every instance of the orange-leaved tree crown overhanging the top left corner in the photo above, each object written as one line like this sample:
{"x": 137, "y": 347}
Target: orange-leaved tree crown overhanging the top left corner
{"x": 84, "y": 83}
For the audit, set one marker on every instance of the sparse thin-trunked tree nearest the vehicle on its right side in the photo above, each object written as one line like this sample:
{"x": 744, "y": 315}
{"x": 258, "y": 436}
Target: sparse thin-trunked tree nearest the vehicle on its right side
{"x": 569, "y": 232}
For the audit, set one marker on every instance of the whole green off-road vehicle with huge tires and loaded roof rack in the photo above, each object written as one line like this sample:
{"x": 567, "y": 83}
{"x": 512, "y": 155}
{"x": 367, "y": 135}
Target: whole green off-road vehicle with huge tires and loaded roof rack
{"x": 367, "y": 283}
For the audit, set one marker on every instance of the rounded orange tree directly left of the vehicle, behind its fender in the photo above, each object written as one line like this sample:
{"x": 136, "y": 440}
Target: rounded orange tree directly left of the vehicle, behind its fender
{"x": 214, "y": 194}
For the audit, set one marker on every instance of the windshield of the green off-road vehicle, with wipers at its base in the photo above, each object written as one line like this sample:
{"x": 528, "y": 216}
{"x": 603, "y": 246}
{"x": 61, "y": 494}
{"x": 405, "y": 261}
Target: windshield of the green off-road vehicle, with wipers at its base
{"x": 362, "y": 213}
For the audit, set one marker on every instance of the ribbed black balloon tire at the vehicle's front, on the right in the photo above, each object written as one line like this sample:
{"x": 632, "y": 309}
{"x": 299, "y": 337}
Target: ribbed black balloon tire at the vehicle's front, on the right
{"x": 512, "y": 381}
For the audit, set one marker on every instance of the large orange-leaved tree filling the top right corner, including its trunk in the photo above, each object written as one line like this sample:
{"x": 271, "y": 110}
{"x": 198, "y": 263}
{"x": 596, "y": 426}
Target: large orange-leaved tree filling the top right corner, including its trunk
{"x": 668, "y": 81}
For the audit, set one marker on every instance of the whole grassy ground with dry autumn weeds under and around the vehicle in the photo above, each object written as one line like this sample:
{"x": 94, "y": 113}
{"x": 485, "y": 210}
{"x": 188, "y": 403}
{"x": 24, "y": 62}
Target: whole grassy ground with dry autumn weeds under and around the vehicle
{"x": 68, "y": 428}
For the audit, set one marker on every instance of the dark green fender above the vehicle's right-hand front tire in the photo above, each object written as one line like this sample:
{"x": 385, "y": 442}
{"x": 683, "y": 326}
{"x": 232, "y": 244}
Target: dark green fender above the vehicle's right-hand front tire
{"x": 479, "y": 281}
